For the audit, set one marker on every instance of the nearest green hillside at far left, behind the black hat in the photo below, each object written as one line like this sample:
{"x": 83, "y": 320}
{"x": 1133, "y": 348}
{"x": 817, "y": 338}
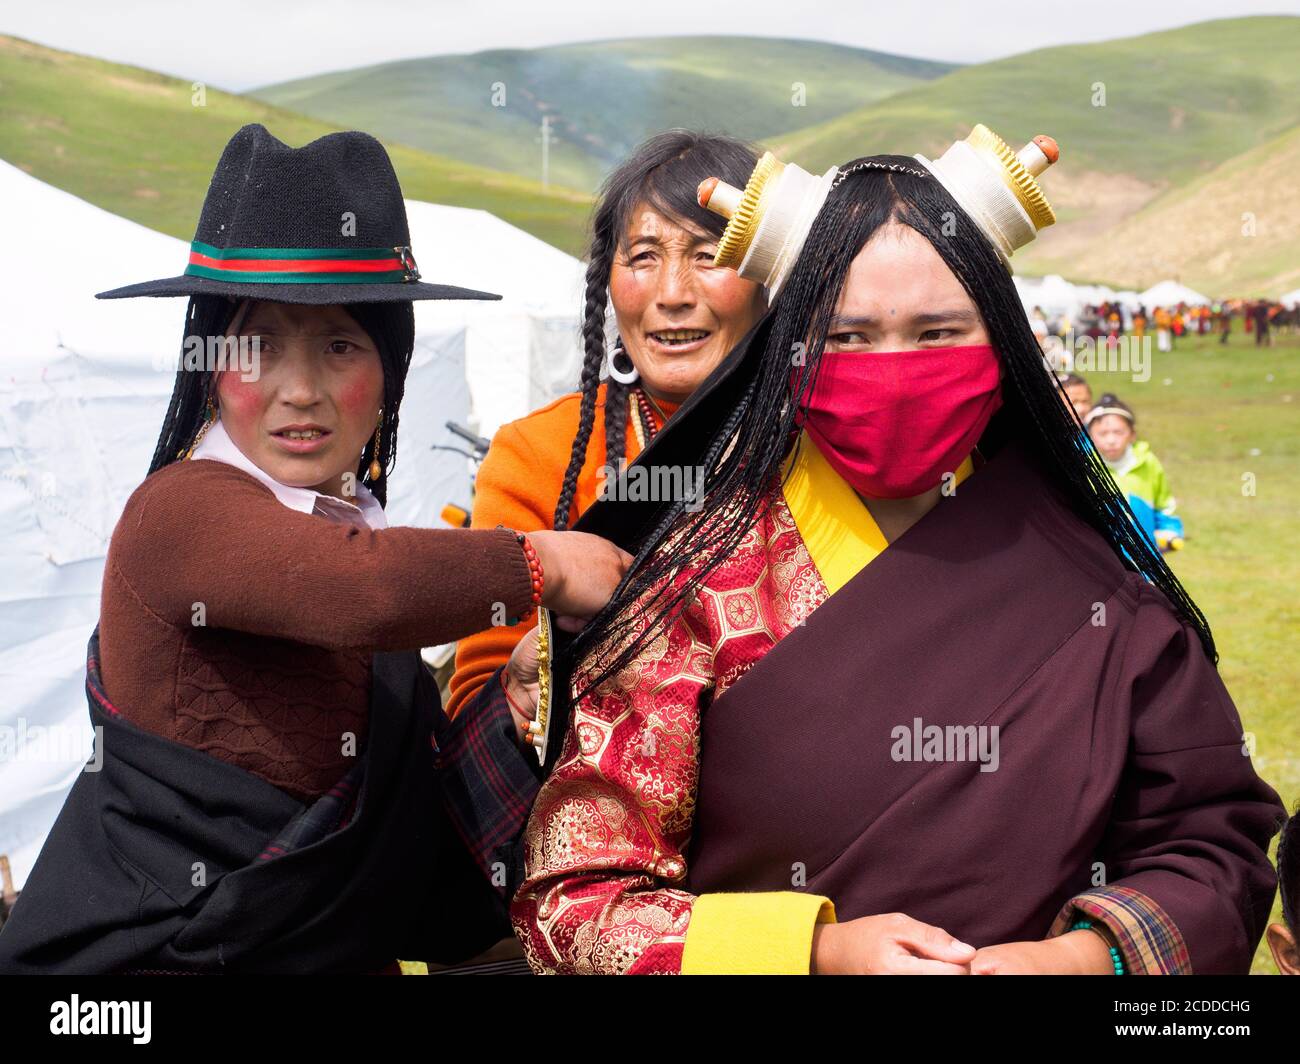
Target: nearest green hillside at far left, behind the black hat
{"x": 132, "y": 142}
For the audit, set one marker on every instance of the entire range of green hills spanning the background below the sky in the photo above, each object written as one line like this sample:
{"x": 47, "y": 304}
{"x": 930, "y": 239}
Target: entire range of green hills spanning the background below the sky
{"x": 1198, "y": 131}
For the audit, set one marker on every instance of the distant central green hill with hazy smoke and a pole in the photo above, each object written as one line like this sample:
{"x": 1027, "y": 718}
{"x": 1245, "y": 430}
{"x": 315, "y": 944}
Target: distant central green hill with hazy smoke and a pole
{"x": 603, "y": 97}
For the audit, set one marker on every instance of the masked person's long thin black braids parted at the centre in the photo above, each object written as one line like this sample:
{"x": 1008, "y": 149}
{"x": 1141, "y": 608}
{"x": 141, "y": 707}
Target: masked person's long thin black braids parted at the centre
{"x": 744, "y": 456}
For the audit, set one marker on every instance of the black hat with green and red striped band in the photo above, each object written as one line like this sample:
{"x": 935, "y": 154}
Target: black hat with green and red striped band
{"x": 319, "y": 224}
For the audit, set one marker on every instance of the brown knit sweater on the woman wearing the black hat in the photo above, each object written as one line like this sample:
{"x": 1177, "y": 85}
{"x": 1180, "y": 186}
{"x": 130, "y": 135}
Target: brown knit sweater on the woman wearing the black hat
{"x": 245, "y": 629}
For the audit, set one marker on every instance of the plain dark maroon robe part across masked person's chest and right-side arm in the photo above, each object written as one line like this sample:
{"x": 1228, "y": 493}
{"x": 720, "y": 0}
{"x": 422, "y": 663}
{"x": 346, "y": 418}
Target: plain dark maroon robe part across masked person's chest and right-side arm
{"x": 1121, "y": 755}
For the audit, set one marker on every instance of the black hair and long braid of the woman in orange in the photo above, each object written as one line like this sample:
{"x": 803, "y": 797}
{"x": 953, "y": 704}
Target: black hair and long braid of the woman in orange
{"x": 664, "y": 174}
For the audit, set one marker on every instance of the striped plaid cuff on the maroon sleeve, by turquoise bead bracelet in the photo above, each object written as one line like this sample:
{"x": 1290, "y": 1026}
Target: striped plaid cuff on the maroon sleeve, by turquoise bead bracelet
{"x": 1150, "y": 942}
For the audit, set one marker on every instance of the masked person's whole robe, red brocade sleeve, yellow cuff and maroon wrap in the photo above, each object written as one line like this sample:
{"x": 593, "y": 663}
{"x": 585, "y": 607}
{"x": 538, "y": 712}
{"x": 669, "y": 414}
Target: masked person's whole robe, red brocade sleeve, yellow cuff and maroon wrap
{"x": 777, "y": 743}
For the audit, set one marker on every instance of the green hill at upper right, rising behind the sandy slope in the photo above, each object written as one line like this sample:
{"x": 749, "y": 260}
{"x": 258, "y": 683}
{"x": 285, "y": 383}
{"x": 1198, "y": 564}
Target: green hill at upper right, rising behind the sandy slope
{"x": 1177, "y": 103}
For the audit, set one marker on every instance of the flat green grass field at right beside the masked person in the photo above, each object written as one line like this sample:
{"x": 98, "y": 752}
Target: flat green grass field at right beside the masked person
{"x": 1216, "y": 414}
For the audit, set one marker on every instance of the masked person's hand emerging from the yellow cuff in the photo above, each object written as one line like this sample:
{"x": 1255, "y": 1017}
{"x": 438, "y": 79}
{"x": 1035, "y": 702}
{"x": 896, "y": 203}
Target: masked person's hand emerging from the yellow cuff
{"x": 889, "y": 945}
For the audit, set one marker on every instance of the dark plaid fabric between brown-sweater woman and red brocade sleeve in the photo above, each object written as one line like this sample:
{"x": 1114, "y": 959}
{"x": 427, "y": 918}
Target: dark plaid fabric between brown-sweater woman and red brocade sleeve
{"x": 489, "y": 781}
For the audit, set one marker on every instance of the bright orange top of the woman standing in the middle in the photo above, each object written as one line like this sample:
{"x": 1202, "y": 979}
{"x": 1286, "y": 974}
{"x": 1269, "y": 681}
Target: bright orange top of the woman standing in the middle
{"x": 518, "y": 486}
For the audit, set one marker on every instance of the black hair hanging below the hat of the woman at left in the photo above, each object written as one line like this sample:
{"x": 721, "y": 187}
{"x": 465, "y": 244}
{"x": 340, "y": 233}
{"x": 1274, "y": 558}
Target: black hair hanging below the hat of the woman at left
{"x": 389, "y": 326}
